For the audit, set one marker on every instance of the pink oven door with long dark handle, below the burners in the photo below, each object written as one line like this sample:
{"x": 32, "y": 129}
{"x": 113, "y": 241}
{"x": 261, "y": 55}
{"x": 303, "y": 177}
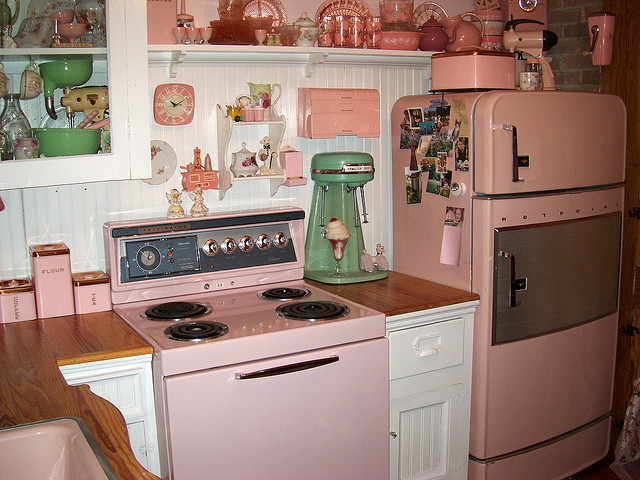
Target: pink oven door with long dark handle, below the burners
{"x": 315, "y": 415}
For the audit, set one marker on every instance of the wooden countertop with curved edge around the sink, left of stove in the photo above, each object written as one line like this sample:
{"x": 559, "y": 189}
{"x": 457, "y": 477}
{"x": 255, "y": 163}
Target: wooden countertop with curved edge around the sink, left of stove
{"x": 32, "y": 387}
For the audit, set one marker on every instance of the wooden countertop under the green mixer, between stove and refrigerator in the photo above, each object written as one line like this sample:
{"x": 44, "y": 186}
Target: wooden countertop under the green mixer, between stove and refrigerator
{"x": 399, "y": 293}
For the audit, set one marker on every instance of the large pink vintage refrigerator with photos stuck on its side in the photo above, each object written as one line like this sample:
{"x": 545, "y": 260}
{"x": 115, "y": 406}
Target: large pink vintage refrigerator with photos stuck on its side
{"x": 518, "y": 196}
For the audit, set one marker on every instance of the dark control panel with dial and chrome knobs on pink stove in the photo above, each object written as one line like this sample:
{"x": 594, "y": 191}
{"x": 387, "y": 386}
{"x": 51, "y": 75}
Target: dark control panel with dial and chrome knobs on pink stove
{"x": 209, "y": 251}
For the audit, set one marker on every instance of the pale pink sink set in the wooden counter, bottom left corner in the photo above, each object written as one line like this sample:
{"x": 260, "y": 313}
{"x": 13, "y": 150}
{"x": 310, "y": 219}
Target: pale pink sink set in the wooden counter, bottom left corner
{"x": 62, "y": 448}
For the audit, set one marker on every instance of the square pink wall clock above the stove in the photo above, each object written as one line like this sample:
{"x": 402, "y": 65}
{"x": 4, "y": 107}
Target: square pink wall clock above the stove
{"x": 173, "y": 104}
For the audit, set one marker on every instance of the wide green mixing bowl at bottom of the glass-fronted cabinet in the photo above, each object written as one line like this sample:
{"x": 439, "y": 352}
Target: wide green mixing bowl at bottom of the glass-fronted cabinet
{"x": 56, "y": 142}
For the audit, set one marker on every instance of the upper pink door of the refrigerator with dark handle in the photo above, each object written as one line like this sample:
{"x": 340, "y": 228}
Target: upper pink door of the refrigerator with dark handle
{"x": 541, "y": 141}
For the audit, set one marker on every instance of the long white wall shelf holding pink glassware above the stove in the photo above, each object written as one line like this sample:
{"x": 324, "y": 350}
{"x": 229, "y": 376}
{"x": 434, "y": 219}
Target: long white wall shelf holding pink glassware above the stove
{"x": 310, "y": 57}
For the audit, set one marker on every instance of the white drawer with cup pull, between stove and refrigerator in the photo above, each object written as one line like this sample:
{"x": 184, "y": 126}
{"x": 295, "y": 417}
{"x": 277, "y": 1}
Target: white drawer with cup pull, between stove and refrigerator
{"x": 426, "y": 348}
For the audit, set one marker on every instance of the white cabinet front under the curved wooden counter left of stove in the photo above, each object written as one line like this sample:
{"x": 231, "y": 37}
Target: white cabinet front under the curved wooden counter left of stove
{"x": 127, "y": 383}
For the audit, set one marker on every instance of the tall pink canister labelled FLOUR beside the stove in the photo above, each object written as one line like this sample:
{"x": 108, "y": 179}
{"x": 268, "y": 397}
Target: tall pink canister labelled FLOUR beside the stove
{"x": 52, "y": 280}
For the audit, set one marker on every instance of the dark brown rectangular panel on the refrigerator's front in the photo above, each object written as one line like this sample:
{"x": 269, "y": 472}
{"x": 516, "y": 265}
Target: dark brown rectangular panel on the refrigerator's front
{"x": 549, "y": 277}
